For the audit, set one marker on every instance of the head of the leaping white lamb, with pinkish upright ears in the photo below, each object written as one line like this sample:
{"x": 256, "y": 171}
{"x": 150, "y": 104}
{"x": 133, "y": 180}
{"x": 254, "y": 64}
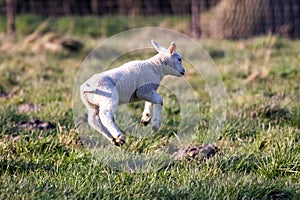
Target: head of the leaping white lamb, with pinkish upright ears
{"x": 171, "y": 60}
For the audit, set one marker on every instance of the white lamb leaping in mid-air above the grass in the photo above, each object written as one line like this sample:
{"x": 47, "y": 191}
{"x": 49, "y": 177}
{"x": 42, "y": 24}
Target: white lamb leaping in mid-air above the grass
{"x": 131, "y": 82}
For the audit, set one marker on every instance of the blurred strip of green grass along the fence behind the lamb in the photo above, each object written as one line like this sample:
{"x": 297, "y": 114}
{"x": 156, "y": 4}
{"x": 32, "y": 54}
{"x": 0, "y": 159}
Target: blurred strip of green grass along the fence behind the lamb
{"x": 95, "y": 27}
